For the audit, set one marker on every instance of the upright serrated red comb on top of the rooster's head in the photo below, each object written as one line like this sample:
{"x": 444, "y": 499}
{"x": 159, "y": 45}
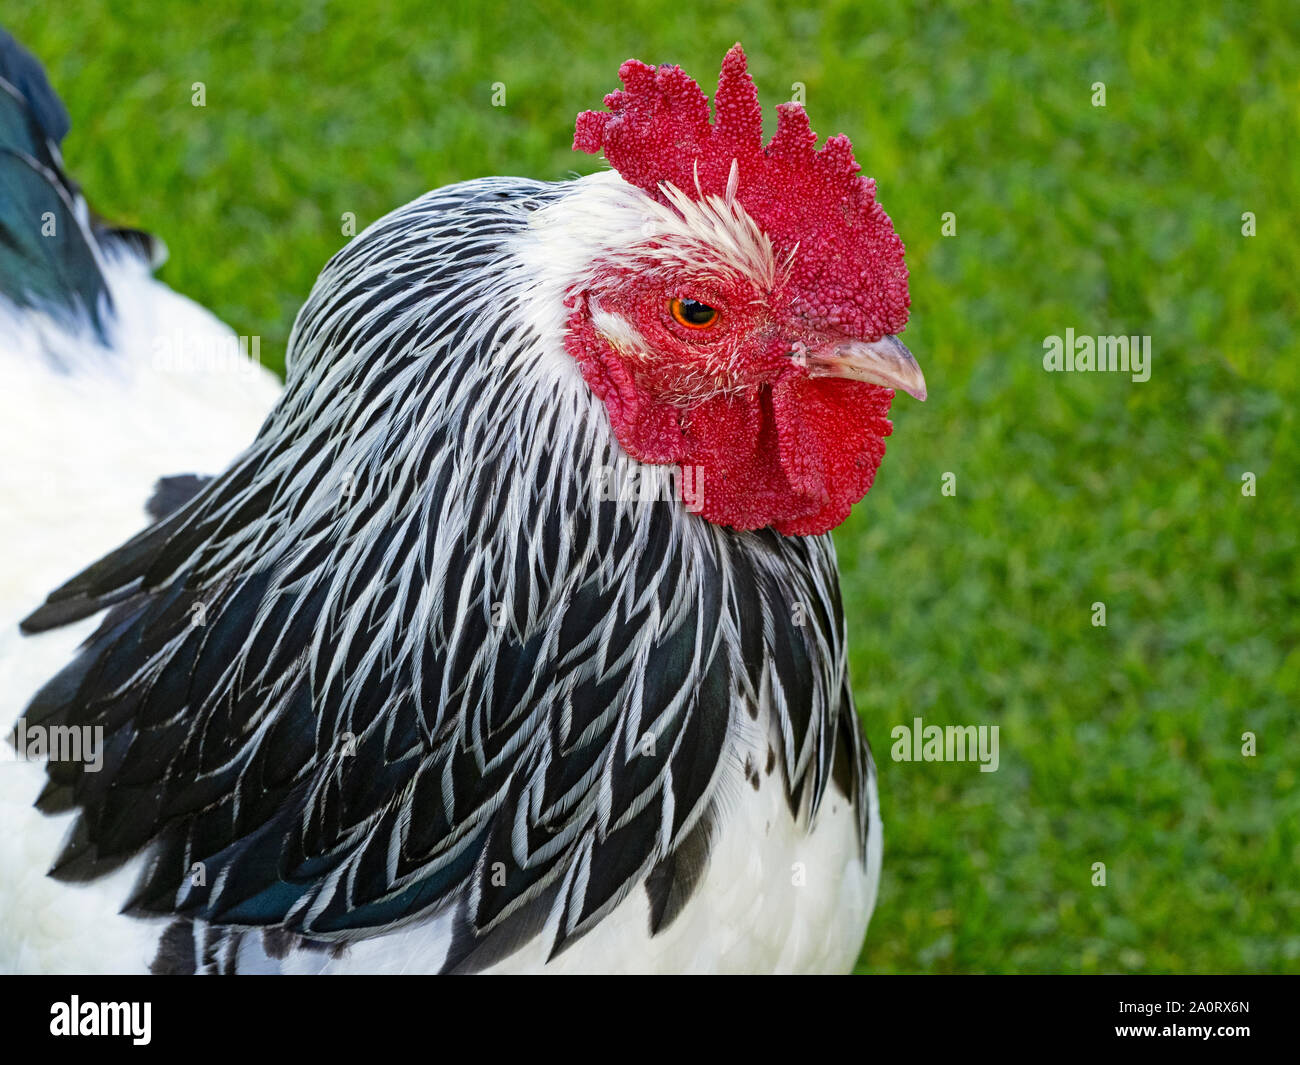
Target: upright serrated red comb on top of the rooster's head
{"x": 850, "y": 267}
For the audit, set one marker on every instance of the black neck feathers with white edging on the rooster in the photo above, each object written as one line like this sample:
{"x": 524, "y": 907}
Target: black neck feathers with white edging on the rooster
{"x": 402, "y": 664}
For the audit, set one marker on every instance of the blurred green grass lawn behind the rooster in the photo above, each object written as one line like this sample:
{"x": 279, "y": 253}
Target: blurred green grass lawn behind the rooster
{"x": 1119, "y": 744}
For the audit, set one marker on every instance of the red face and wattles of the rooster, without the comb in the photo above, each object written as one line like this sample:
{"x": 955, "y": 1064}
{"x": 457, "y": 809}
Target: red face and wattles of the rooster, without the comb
{"x": 777, "y": 447}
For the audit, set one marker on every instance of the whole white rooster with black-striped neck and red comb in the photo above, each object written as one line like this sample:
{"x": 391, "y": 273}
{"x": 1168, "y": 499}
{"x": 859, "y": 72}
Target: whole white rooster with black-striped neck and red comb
{"x": 419, "y": 683}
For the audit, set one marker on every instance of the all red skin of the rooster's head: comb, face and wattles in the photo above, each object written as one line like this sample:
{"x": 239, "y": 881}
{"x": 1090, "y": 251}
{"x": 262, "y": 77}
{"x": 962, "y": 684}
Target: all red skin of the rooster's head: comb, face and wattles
{"x": 777, "y": 445}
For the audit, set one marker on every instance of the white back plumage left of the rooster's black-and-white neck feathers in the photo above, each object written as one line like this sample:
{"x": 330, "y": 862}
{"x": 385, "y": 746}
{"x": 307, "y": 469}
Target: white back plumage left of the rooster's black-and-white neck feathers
{"x": 86, "y": 436}
